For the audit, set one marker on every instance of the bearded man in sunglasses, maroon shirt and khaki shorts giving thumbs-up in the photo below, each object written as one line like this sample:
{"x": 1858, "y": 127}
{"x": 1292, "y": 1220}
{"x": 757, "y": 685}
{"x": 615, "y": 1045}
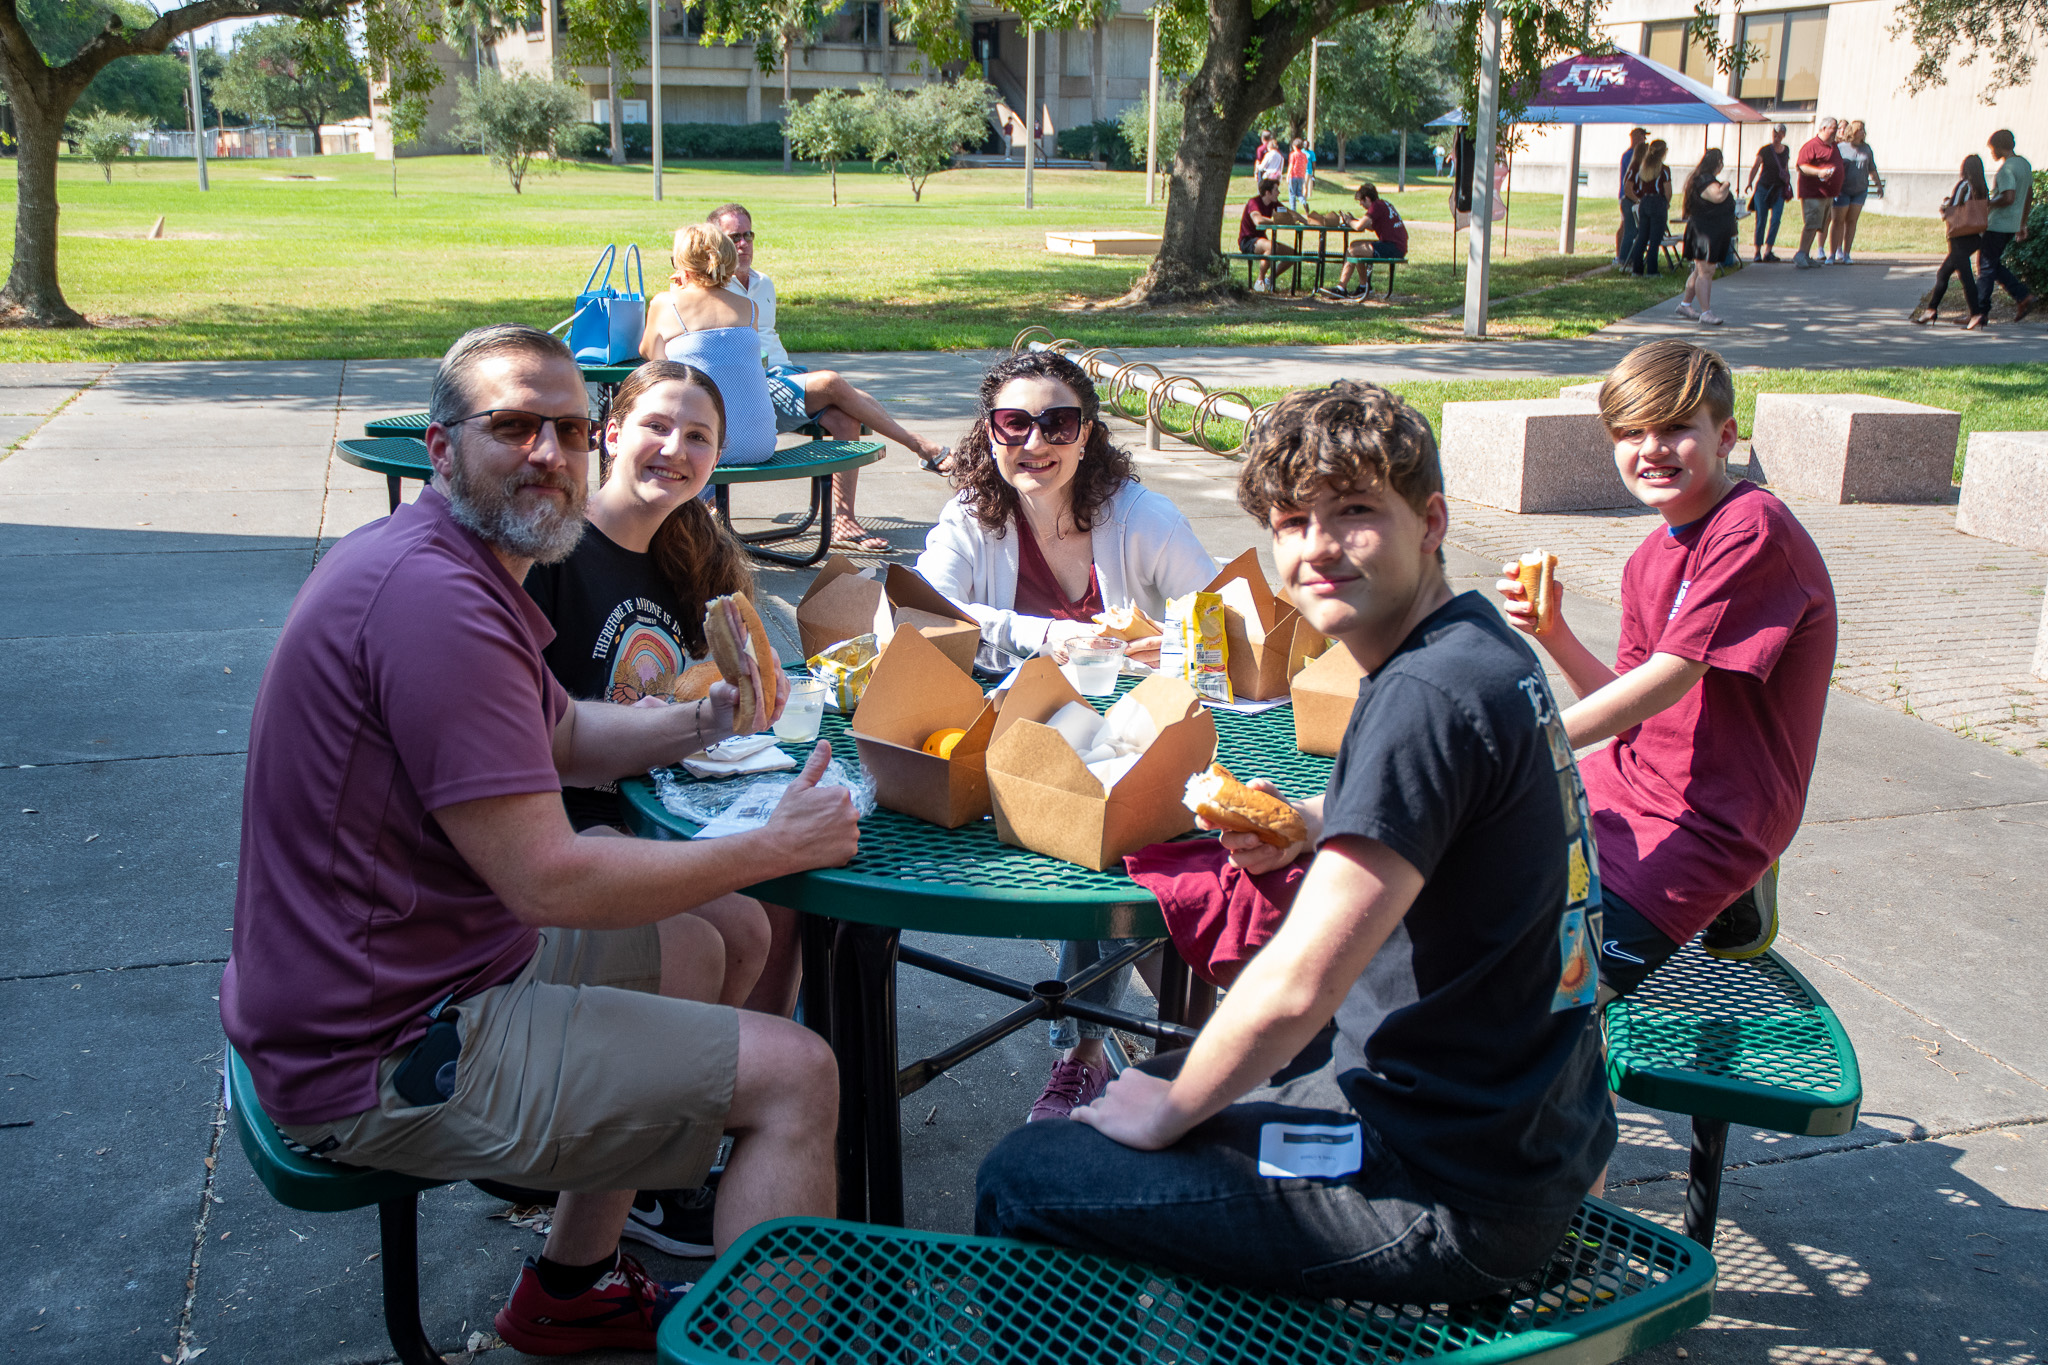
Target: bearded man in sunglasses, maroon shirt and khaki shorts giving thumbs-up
{"x": 433, "y": 973}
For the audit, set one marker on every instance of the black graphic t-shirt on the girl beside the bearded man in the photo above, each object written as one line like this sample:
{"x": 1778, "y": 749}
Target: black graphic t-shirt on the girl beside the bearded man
{"x": 617, "y": 640}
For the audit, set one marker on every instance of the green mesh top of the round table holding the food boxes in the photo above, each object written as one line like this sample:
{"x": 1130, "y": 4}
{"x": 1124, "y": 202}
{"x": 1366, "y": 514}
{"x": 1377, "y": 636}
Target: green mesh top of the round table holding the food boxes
{"x": 966, "y": 881}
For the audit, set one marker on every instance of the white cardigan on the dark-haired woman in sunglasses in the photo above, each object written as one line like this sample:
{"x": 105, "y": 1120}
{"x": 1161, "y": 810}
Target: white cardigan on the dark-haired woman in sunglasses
{"x": 1146, "y": 554}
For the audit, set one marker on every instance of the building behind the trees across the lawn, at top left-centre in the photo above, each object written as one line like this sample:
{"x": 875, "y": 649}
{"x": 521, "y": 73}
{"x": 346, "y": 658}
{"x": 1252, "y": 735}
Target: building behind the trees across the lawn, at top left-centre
{"x": 1084, "y": 75}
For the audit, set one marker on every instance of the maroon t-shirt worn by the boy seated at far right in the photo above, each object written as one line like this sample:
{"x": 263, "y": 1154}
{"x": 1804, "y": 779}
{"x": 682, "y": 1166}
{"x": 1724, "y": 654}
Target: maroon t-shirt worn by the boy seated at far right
{"x": 1695, "y": 803}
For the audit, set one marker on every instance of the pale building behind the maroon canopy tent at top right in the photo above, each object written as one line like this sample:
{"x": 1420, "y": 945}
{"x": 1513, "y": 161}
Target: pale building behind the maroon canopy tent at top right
{"x": 1814, "y": 60}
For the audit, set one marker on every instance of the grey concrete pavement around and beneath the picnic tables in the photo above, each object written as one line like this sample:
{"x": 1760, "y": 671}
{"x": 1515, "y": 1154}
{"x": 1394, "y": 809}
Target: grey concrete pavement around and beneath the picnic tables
{"x": 153, "y": 535}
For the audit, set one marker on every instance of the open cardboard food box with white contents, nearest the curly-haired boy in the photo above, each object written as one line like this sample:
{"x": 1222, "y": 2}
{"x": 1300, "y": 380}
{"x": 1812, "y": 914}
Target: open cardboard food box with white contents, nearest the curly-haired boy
{"x": 1050, "y": 803}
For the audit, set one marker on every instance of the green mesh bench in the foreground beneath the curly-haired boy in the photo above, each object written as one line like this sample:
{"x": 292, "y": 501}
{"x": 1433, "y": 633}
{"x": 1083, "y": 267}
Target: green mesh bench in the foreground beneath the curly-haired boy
{"x": 1615, "y": 1286}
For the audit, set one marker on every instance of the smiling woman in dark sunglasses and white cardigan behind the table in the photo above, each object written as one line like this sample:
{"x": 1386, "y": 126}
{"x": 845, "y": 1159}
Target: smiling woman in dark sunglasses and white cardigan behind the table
{"x": 1052, "y": 527}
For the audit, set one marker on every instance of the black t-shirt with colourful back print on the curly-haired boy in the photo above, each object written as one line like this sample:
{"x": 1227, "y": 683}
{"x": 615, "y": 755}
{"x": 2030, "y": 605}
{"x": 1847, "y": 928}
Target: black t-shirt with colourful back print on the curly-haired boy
{"x": 1467, "y": 1041}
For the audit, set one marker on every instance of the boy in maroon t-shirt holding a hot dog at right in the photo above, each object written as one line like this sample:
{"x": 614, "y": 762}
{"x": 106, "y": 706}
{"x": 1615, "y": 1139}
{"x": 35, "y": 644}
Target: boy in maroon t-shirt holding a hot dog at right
{"x": 1719, "y": 685}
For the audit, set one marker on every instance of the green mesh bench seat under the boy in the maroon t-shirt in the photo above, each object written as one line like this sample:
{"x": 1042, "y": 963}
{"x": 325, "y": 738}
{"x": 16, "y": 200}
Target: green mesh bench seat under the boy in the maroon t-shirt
{"x": 1732, "y": 1043}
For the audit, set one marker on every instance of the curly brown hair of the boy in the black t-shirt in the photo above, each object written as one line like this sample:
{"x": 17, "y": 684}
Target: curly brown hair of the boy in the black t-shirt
{"x": 1347, "y": 437}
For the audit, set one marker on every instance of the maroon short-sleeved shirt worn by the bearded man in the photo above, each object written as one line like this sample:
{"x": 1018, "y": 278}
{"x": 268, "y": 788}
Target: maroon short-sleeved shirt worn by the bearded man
{"x": 407, "y": 678}
